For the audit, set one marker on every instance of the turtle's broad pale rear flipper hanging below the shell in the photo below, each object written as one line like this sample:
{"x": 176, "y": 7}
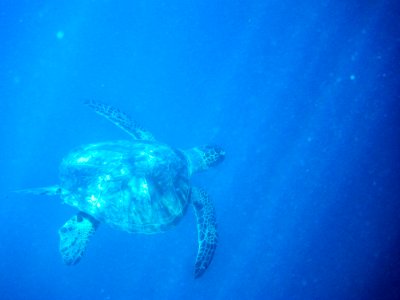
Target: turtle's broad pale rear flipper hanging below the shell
{"x": 74, "y": 237}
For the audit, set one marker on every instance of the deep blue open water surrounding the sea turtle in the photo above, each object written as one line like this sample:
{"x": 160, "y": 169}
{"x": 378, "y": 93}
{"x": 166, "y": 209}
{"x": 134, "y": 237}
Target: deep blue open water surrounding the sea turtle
{"x": 302, "y": 95}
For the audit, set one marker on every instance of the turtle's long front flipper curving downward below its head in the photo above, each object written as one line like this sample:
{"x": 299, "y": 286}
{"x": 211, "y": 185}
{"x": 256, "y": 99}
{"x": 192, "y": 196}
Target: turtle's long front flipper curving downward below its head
{"x": 206, "y": 230}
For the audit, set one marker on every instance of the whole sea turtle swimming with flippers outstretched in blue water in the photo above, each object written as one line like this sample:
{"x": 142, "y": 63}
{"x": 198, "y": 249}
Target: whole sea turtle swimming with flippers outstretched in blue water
{"x": 139, "y": 186}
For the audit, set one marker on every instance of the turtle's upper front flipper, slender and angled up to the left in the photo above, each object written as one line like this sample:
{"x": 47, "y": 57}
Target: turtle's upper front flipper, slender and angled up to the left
{"x": 121, "y": 119}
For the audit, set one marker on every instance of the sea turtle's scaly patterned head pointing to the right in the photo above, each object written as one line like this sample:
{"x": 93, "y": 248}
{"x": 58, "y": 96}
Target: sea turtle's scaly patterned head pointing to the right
{"x": 204, "y": 157}
